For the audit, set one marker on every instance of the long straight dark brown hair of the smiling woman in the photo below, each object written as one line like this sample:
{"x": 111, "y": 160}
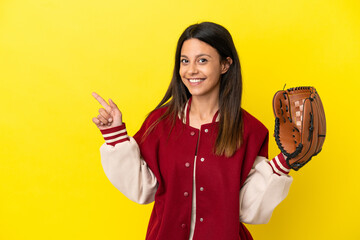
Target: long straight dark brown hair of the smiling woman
{"x": 230, "y": 132}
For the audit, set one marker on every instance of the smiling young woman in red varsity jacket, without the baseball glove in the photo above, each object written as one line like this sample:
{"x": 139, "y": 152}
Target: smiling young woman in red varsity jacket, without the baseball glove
{"x": 198, "y": 155}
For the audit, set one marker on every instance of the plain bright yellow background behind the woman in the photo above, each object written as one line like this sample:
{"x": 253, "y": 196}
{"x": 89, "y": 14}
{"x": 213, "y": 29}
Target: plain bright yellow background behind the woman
{"x": 53, "y": 54}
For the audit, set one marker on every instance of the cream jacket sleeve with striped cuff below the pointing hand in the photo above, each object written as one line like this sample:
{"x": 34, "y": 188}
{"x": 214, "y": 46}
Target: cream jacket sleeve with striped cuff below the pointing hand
{"x": 125, "y": 168}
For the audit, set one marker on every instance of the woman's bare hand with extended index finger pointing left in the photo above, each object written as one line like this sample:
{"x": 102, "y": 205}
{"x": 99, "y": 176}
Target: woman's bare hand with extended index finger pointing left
{"x": 109, "y": 116}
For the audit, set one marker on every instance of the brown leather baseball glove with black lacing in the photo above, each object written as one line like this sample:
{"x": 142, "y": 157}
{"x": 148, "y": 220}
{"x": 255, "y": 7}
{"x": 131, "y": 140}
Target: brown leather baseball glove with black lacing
{"x": 300, "y": 124}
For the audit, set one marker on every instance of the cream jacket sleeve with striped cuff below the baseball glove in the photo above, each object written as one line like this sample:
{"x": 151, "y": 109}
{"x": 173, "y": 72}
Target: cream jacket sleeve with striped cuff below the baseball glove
{"x": 267, "y": 184}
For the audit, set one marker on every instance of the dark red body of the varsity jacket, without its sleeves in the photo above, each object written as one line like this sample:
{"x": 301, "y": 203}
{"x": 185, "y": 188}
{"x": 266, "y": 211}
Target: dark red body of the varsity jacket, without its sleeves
{"x": 217, "y": 204}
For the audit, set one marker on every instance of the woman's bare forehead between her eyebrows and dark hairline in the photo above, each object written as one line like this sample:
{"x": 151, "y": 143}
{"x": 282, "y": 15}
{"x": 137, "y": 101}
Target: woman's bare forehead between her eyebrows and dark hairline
{"x": 194, "y": 47}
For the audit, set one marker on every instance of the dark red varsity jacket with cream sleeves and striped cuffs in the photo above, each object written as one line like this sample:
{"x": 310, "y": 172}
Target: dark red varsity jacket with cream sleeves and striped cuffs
{"x": 197, "y": 194}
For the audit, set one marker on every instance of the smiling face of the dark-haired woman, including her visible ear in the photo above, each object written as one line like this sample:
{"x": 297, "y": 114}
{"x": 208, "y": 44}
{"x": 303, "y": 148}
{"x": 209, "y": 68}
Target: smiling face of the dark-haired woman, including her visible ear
{"x": 201, "y": 68}
